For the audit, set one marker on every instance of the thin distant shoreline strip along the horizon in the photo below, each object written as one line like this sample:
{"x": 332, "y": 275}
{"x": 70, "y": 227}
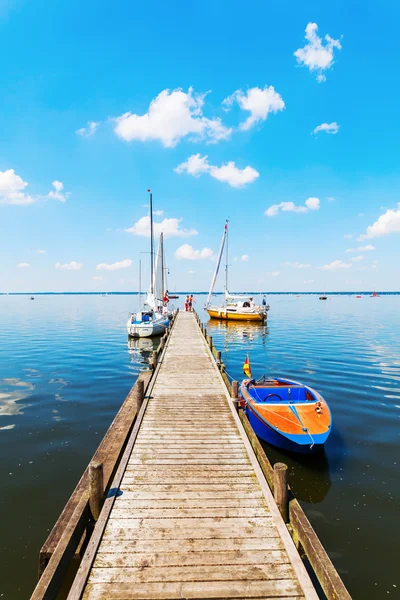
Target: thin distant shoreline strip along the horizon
{"x": 353, "y": 293}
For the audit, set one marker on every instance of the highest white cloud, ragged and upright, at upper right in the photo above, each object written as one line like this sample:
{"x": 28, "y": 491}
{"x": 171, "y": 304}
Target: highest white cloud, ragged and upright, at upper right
{"x": 316, "y": 55}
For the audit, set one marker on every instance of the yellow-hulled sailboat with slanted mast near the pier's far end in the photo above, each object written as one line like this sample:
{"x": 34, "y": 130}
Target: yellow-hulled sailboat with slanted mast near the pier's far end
{"x": 235, "y": 307}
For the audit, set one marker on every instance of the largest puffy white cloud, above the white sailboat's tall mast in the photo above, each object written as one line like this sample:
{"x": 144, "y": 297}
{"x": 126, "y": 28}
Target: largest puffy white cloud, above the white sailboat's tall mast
{"x": 171, "y": 116}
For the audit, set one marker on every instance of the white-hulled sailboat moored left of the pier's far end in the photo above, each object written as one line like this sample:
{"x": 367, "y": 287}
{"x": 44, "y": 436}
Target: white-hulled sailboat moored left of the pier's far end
{"x": 152, "y": 319}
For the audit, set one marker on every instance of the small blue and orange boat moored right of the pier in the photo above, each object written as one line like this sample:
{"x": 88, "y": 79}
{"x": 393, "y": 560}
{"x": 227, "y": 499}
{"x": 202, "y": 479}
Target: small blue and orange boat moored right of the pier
{"x": 286, "y": 414}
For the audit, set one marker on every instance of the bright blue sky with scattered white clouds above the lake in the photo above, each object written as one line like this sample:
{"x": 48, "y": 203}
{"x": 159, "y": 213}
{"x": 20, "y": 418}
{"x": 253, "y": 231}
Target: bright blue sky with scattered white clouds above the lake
{"x": 208, "y": 106}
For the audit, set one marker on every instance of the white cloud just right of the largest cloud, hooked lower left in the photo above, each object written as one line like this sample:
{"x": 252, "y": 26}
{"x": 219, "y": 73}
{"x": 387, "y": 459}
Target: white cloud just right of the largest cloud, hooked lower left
{"x": 258, "y": 102}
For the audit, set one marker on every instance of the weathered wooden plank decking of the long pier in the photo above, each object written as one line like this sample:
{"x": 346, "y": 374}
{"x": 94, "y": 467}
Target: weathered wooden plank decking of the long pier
{"x": 195, "y": 517}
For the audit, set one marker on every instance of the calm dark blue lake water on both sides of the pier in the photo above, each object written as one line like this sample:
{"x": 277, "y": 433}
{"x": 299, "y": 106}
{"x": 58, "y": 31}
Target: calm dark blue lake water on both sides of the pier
{"x": 66, "y": 367}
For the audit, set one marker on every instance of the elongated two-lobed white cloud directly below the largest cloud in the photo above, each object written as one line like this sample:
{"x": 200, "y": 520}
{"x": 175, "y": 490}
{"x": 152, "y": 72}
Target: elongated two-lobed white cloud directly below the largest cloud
{"x": 227, "y": 173}
